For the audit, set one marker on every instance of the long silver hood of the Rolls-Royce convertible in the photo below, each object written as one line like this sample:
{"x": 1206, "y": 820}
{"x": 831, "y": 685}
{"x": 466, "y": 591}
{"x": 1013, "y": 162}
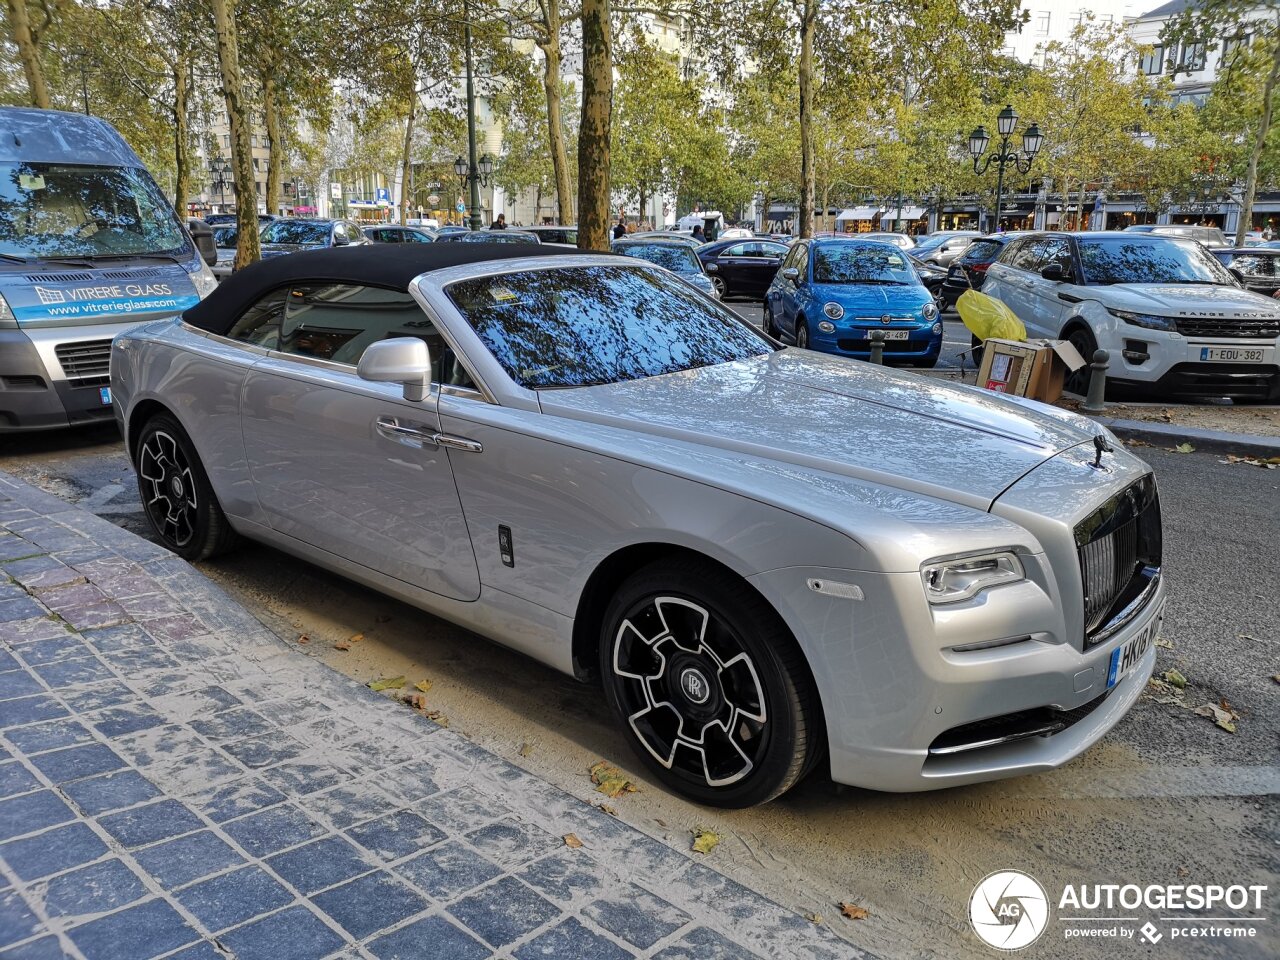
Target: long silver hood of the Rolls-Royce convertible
{"x": 831, "y": 415}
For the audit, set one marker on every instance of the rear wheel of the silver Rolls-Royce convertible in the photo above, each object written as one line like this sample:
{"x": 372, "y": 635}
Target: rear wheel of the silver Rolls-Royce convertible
{"x": 177, "y": 497}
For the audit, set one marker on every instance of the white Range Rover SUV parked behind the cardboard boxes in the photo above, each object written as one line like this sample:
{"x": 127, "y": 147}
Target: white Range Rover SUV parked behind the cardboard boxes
{"x": 1173, "y": 318}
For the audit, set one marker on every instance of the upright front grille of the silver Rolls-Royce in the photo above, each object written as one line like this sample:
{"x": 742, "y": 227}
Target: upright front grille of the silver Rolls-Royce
{"x": 1121, "y": 548}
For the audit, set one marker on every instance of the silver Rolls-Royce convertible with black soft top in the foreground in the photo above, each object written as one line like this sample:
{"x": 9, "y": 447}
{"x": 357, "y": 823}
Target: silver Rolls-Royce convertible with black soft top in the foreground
{"x": 912, "y": 584}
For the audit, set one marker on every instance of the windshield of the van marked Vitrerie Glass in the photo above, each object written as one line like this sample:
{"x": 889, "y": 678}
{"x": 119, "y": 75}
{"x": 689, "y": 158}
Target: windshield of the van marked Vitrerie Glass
{"x": 68, "y": 211}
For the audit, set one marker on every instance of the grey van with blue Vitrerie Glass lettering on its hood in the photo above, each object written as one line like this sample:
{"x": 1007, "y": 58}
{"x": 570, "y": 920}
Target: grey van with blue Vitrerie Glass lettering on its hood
{"x": 89, "y": 248}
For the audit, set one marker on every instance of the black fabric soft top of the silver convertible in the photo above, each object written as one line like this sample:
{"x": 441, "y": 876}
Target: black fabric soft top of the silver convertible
{"x": 377, "y": 264}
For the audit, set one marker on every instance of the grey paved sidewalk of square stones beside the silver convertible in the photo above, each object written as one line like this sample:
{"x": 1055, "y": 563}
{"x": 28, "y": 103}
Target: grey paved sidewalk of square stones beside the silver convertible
{"x": 176, "y": 783}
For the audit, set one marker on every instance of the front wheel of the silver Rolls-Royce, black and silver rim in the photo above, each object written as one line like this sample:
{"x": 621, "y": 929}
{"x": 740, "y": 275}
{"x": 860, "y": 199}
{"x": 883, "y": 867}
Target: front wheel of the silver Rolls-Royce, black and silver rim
{"x": 708, "y": 684}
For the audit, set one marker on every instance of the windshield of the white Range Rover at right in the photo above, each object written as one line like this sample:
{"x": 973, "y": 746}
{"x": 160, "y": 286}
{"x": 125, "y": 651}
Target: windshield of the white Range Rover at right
{"x": 1142, "y": 258}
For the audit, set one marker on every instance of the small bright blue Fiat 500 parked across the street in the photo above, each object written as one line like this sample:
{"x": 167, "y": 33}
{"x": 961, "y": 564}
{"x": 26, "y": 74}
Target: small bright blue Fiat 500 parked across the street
{"x": 831, "y": 294}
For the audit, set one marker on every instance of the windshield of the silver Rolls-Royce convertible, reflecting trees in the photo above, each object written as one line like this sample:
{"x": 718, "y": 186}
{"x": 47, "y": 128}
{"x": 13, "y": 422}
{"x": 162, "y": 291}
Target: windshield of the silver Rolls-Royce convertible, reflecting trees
{"x": 586, "y": 326}
